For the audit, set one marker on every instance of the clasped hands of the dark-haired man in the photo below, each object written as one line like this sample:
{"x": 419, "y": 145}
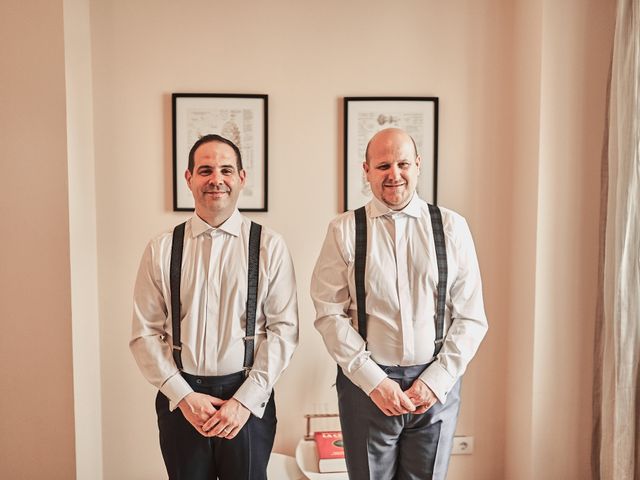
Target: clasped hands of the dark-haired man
{"x": 214, "y": 417}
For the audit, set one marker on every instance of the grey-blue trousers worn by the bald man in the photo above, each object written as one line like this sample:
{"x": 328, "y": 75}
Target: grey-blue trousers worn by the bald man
{"x": 403, "y": 447}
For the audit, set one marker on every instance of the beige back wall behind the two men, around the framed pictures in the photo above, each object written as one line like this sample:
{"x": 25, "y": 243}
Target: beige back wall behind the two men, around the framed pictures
{"x": 306, "y": 56}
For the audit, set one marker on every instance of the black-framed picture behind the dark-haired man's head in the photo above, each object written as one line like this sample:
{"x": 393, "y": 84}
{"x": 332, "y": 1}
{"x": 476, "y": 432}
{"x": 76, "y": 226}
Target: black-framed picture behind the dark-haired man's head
{"x": 239, "y": 118}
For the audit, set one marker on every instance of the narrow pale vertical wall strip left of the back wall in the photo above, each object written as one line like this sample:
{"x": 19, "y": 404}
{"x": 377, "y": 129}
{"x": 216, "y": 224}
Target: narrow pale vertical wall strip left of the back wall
{"x": 83, "y": 241}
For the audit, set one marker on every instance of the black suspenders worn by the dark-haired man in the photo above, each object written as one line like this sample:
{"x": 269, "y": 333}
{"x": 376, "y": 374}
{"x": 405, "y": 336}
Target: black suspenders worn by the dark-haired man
{"x": 252, "y": 292}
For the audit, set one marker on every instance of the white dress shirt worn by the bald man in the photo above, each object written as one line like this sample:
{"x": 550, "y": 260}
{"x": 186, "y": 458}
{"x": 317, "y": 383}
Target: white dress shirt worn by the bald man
{"x": 400, "y": 283}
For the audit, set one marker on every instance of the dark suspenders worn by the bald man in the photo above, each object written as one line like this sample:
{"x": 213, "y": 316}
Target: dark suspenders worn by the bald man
{"x": 360, "y": 268}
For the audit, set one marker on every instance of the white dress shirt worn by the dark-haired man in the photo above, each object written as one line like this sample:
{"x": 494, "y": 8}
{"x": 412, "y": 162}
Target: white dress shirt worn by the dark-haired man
{"x": 213, "y": 296}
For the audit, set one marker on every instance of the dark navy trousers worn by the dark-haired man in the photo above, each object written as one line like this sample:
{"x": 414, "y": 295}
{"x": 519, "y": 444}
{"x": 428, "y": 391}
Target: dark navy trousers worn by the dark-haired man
{"x": 190, "y": 456}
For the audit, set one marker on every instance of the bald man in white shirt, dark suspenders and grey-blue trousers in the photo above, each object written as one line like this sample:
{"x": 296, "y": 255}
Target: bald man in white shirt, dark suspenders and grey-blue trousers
{"x": 398, "y": 297}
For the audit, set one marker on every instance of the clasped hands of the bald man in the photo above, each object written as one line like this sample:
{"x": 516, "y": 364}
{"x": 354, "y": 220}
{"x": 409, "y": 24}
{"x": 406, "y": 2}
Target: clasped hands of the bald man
{"x": 391, "y": 400}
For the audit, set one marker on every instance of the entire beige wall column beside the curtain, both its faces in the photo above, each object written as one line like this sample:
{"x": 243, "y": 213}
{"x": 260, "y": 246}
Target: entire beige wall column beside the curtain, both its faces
{"x": 563, "y": 53}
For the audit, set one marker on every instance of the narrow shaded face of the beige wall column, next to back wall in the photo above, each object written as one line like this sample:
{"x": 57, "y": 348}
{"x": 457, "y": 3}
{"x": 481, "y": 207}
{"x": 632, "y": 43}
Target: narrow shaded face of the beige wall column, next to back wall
{"x": 527, "y": 36}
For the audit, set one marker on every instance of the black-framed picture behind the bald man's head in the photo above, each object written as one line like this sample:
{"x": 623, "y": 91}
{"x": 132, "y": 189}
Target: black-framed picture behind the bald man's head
{"x": 364, "y": 116}
